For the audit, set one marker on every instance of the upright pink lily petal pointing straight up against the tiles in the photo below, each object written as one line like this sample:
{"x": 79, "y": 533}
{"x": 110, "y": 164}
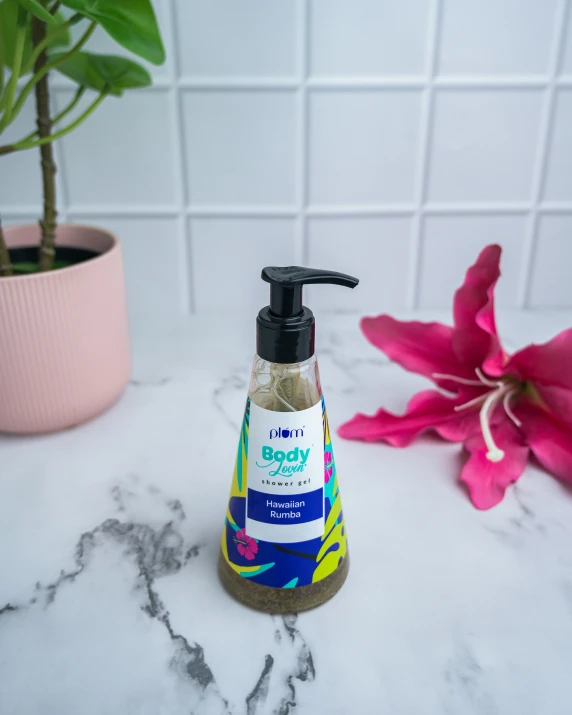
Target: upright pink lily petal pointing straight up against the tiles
{"x": 476, "y": 339}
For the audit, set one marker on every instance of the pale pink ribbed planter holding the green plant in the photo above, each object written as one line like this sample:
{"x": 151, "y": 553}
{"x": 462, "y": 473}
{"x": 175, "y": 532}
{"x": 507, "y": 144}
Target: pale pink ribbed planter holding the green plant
{"x": 65, "y": 354}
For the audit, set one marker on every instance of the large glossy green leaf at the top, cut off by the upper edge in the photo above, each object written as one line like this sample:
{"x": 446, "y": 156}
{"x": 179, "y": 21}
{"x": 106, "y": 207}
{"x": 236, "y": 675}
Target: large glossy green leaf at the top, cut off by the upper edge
{"x": 131, "y": 23}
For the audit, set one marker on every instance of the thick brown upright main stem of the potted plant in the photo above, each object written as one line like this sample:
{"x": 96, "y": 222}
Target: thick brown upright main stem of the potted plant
{"x": 47, "y": 250}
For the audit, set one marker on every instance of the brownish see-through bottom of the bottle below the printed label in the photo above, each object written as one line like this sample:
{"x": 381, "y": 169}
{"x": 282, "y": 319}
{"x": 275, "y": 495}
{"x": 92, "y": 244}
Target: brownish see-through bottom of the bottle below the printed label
{"x": 282, "y": 600}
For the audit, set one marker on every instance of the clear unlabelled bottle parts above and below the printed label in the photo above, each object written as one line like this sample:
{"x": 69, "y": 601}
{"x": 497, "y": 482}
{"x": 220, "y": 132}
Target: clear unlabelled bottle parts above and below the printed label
{"x": 284, "y": 388}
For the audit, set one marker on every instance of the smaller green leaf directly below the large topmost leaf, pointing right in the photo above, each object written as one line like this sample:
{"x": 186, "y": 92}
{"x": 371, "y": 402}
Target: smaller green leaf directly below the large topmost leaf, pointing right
{"x": 104, "y": 73}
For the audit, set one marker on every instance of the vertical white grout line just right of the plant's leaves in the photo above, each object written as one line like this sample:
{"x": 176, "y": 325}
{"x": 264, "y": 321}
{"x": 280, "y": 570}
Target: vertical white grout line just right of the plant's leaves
{"x": 187, "y": 297}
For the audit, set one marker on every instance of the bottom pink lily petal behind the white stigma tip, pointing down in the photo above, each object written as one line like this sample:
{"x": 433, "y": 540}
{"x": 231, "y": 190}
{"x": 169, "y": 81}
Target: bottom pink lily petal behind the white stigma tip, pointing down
{"x": 487, "y": 481}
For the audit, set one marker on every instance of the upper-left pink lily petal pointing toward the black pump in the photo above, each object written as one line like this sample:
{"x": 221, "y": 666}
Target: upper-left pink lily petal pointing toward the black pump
{"x": 424, "y": 348}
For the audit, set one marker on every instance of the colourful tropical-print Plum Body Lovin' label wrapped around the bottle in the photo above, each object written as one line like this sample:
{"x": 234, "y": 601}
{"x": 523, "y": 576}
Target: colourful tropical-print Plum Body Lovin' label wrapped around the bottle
{"x": 284, "y": 524}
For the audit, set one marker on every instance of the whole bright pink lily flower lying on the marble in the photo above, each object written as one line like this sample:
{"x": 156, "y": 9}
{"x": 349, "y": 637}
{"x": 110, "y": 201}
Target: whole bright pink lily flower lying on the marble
{"x": 504, "y": 408}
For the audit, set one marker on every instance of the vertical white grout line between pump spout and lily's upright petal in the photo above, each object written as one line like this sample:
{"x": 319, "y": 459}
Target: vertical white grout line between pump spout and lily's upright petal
{"x": 423, "y": 166}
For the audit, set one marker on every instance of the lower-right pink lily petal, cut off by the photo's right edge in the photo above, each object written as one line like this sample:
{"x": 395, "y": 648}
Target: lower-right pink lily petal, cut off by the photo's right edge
{"x": 549, "y": 437}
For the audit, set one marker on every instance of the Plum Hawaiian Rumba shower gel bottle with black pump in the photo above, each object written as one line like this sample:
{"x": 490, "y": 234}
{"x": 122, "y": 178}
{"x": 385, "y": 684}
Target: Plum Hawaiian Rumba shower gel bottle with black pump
{"x": 284, "y": 542}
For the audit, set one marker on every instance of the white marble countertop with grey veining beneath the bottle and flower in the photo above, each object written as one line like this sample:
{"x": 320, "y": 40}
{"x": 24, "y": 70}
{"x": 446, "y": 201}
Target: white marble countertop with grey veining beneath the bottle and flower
{"x": 109, "y": 536}
